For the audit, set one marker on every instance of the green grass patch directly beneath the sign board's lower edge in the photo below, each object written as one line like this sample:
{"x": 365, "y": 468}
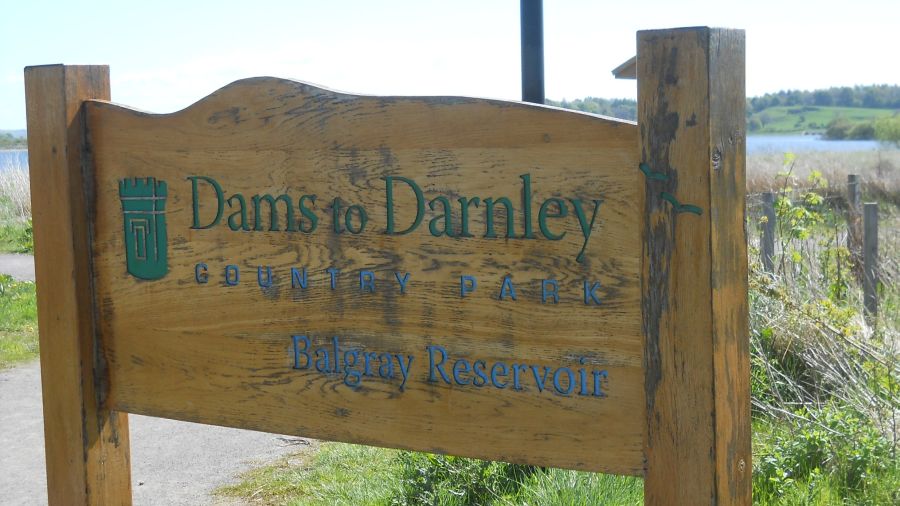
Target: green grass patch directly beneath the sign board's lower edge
{"x": 339, "y": 473}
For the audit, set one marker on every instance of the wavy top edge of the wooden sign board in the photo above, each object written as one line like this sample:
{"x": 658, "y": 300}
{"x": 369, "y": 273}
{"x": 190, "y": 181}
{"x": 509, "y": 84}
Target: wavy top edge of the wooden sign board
{"x": 279, "y": 86}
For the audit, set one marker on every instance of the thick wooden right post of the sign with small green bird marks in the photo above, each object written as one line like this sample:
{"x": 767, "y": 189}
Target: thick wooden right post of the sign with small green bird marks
{"x": 691, "y": 103}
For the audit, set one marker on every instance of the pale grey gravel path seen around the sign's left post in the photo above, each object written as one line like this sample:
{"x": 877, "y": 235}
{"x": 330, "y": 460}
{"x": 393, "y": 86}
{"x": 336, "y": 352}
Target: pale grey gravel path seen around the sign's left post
{"x": 172, "y": 463}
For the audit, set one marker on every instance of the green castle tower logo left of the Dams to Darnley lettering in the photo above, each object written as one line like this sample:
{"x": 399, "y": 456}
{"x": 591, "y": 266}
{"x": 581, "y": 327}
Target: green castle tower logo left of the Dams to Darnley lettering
{"x": 144, "y": 208}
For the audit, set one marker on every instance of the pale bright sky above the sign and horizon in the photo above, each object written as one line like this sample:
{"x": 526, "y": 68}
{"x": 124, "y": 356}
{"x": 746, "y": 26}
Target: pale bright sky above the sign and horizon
{"x": 165, "y": 54}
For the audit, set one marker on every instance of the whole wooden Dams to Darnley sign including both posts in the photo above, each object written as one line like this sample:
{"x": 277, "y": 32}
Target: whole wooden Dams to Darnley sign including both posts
{"x": 465, "y": 276}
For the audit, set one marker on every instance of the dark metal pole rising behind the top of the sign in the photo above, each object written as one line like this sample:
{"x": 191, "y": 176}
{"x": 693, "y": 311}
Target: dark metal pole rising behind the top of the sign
{"x": 532, "y": 13}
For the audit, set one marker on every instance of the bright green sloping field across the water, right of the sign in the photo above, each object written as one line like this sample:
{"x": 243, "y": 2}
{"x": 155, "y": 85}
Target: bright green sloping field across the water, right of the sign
{"x": 797, "y": 119}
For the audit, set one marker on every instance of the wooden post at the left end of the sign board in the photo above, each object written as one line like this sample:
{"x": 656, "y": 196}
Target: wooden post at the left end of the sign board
{"x": 86, "y": 444}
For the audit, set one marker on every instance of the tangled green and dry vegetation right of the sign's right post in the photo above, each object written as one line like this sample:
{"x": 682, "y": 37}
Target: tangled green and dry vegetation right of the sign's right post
{"x": 825, "y": 378}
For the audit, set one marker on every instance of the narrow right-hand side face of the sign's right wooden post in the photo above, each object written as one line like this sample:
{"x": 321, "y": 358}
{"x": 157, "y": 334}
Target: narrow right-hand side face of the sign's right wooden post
{"x": 730, "y": 307}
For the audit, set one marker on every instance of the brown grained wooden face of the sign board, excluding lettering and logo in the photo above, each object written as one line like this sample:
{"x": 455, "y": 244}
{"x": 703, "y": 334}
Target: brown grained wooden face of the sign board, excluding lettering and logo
{"x": 222, "y": 354}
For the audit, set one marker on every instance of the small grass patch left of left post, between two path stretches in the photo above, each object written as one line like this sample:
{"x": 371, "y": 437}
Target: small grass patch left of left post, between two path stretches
{"x": 18, "y": 321}
